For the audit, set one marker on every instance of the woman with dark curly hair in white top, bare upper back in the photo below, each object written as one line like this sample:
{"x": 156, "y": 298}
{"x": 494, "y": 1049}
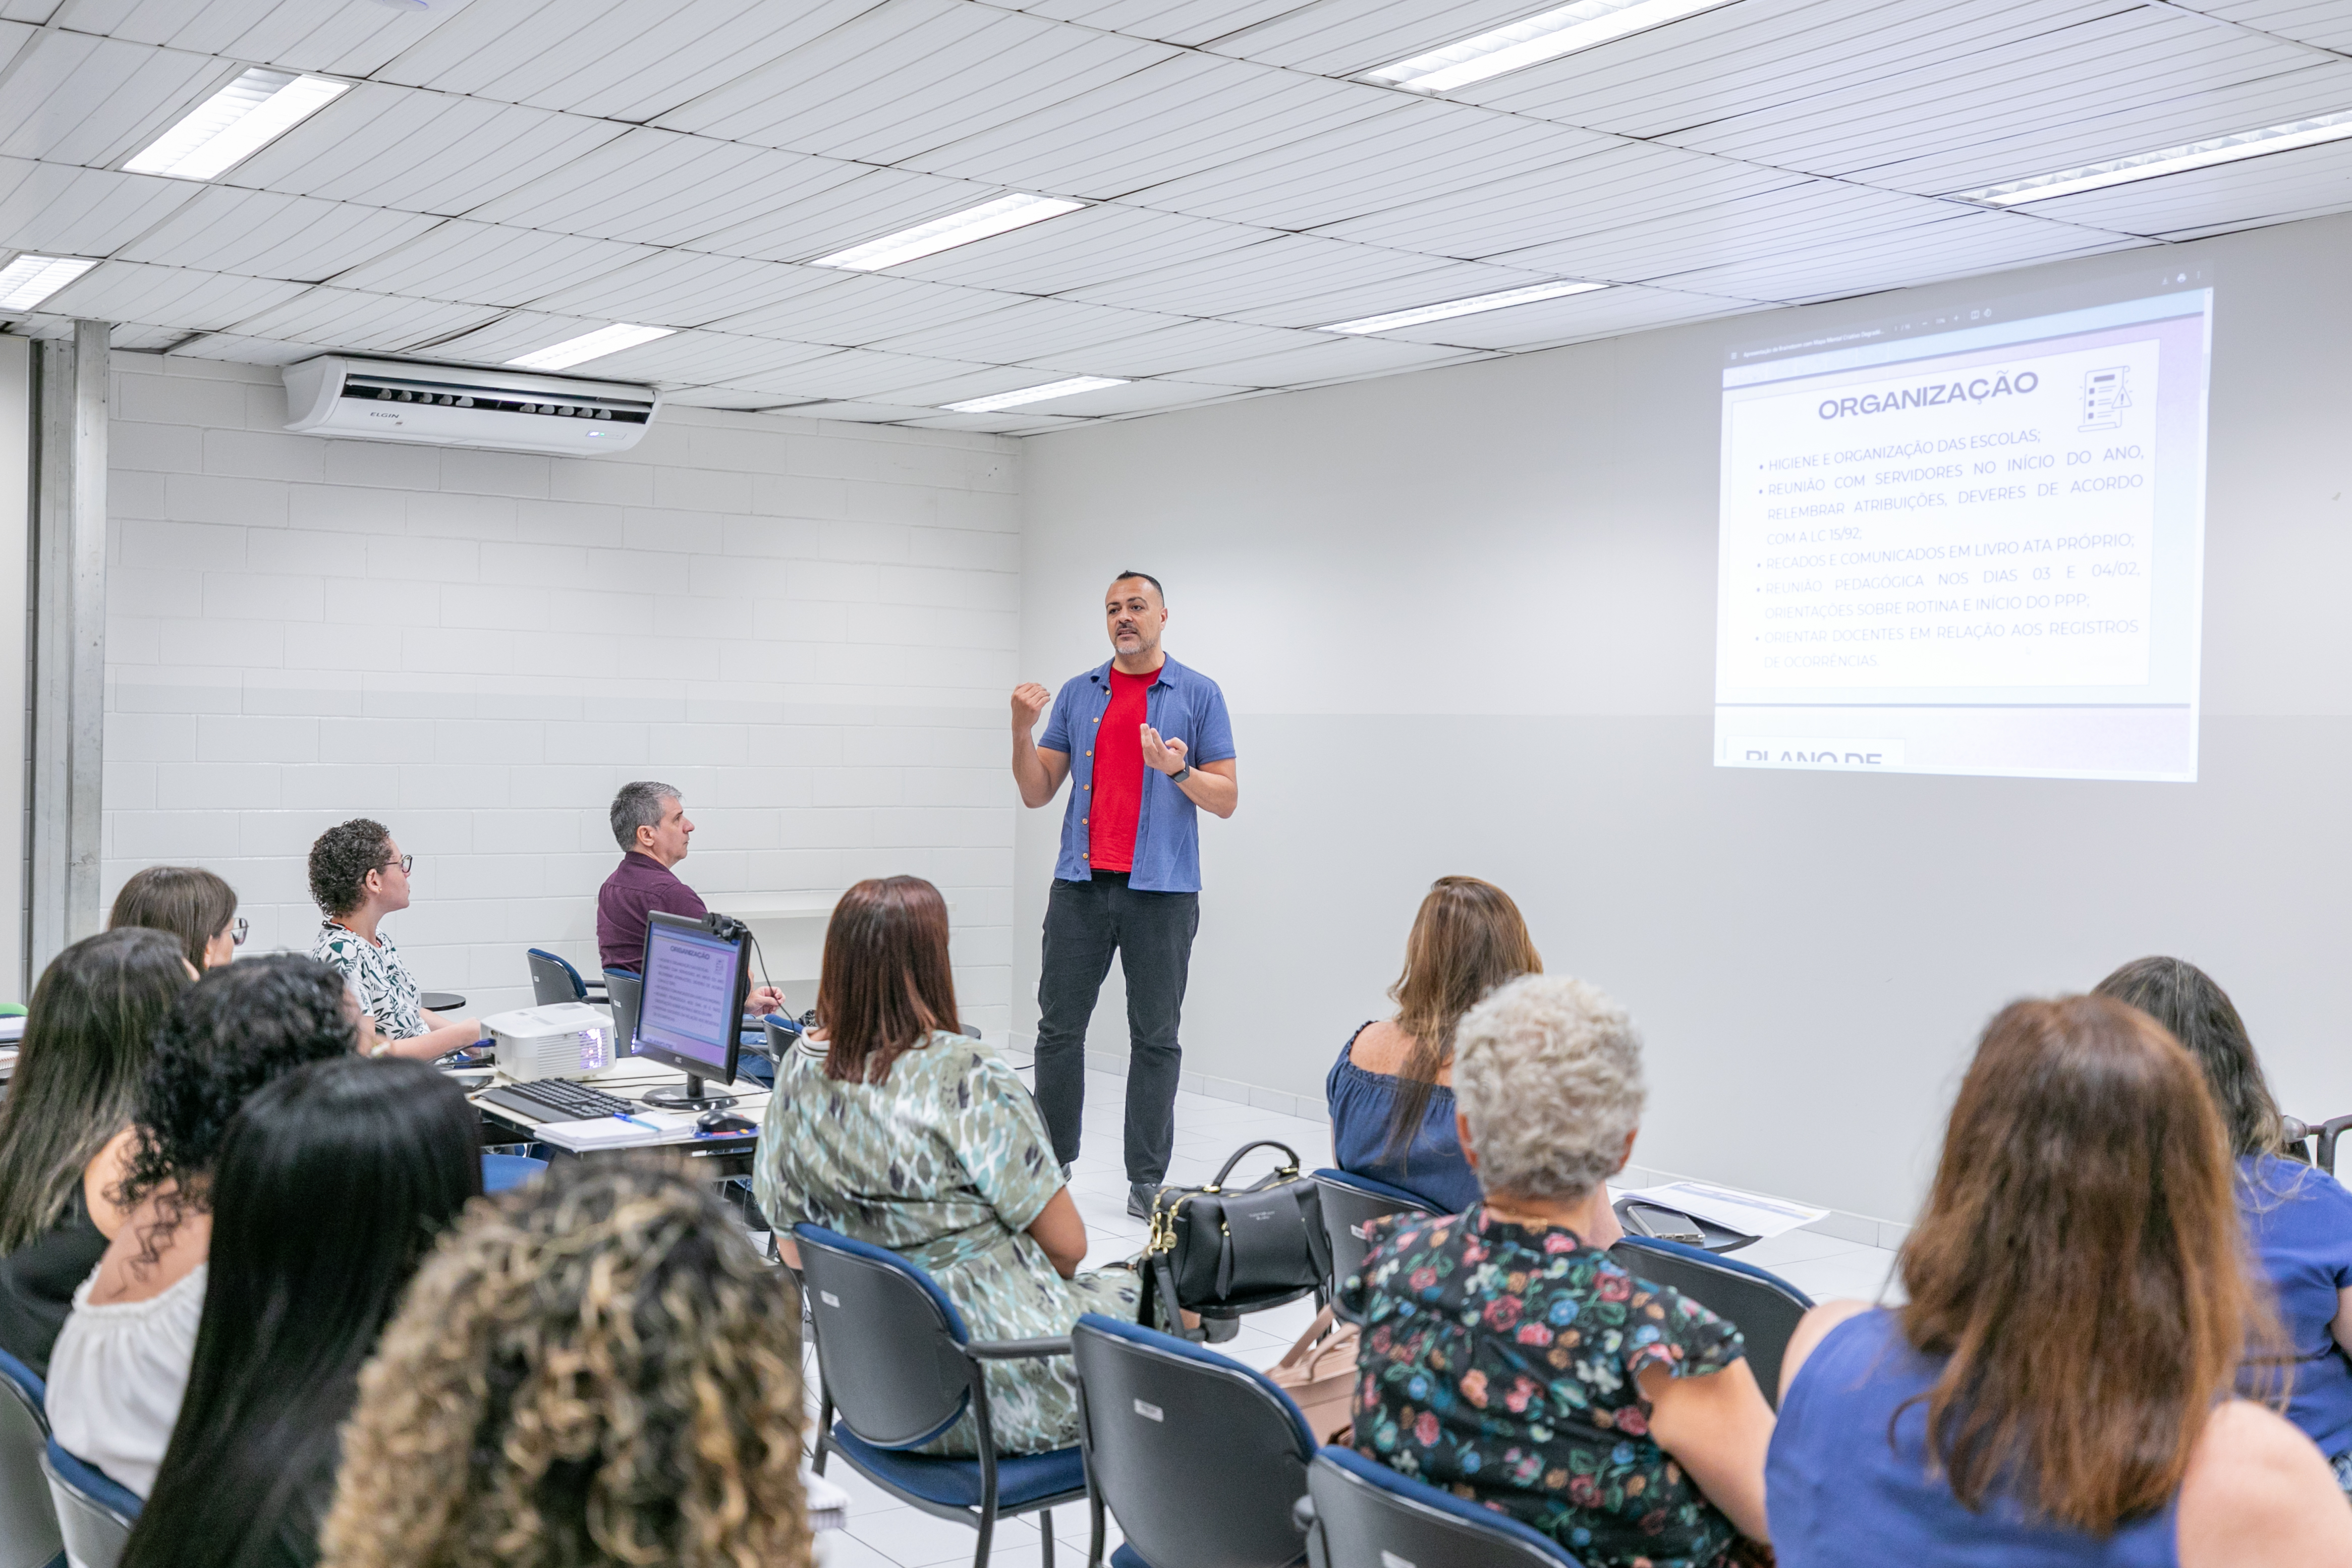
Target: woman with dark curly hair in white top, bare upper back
{"x": 121, "y": 1365}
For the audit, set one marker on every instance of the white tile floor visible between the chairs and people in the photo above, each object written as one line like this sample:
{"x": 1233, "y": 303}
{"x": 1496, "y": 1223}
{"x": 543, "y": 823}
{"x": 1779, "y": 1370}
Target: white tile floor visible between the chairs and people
{"x": 886, "y": 1534}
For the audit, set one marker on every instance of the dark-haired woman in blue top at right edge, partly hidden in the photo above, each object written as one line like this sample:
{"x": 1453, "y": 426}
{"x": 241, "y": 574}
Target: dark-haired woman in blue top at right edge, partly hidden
{"x": 2299, "y": 1221}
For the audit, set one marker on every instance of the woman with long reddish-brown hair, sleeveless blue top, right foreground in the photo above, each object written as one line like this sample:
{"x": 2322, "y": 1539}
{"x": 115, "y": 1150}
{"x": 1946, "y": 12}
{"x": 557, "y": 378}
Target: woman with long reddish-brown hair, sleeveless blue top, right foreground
{"x": 2057, "y": 1391}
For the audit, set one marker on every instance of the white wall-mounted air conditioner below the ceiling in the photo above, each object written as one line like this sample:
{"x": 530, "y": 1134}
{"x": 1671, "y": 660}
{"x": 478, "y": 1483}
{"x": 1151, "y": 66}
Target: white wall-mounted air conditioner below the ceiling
{"x": 446, "y": 406}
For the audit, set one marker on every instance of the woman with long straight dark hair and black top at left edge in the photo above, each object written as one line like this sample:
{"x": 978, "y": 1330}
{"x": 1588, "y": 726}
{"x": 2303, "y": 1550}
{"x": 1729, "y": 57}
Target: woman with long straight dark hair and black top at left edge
{"x": 67, "y": 1123}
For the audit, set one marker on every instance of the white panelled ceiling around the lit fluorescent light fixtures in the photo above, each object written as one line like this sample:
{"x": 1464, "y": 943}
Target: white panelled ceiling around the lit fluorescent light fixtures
{"x": 514, "y": 173}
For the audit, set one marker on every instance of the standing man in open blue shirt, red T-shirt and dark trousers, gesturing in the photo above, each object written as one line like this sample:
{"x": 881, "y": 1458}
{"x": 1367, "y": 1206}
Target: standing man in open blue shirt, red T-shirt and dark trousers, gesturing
{"x": 1147, "y": 746}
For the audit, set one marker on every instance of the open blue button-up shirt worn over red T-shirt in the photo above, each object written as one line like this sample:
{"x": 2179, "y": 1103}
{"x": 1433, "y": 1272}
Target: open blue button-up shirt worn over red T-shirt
{"x": 1182, "y": 706}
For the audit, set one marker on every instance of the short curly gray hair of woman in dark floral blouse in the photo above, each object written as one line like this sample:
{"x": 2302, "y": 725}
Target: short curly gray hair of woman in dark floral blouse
{"x": 1549, "y": 1076}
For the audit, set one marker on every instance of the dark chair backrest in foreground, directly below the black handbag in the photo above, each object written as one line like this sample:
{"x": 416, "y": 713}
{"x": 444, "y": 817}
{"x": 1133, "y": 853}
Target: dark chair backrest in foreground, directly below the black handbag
{"x": 1158, "y": 1407}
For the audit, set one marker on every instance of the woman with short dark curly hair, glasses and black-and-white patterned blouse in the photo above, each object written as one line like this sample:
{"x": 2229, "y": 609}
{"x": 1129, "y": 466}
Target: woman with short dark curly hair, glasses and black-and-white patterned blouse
{"x": 359, "y": 876}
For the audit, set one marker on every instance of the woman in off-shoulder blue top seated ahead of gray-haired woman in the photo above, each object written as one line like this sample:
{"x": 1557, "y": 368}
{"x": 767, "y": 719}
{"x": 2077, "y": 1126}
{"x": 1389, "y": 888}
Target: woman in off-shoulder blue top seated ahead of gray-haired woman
{"x": 1391, "y": 1087}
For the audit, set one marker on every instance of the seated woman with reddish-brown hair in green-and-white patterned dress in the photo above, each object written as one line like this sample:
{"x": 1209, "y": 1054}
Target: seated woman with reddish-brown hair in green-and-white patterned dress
{"x": 900, "y": 1132}
